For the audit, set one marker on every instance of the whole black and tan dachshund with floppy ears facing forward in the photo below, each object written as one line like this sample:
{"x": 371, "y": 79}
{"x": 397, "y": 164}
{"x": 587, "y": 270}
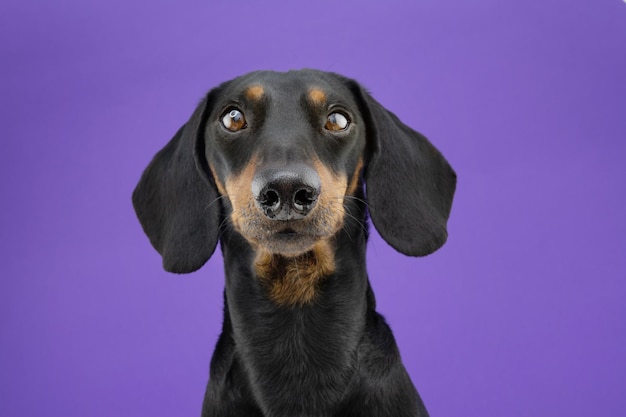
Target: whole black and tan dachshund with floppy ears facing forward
{"x": 284, "y": 170}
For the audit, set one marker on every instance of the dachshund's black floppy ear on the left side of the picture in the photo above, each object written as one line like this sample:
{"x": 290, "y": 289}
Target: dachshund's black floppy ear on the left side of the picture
{"x": 175, "y": 200}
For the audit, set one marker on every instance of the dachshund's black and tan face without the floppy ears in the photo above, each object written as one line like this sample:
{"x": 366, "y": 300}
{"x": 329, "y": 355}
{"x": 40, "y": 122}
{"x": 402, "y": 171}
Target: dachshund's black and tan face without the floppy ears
{"x": 285, "y": 149}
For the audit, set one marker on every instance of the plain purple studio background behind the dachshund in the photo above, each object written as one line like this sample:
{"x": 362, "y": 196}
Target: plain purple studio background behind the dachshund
{"x": 522, "y": 313}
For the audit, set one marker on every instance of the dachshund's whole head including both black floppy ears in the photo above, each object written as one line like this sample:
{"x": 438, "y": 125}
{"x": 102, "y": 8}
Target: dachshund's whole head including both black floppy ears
{"x": 283, "y": 153}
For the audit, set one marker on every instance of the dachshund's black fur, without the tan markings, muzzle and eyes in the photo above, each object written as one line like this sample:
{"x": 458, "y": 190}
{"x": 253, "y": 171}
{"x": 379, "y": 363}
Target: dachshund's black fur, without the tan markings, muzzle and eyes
{"x": 334, "y": 356}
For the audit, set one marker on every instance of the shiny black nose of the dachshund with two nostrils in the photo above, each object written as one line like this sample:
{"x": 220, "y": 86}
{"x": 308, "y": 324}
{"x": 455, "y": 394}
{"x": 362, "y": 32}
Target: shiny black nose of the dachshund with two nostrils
{"x": 286, "y": 194}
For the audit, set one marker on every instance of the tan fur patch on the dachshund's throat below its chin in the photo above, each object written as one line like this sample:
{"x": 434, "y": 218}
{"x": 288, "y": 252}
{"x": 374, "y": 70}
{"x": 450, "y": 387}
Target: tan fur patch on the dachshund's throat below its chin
{"x": 294, "y": 281}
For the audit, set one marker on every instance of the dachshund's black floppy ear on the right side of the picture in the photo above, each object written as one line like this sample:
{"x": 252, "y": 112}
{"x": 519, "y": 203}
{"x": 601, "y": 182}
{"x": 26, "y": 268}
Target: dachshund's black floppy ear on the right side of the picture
{"x": 409, "y": 184}
